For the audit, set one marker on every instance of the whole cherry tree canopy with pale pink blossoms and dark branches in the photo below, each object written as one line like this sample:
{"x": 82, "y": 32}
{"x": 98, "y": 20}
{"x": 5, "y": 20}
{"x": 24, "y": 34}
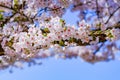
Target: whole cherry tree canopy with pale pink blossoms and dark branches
{"x": 34, "y": 29}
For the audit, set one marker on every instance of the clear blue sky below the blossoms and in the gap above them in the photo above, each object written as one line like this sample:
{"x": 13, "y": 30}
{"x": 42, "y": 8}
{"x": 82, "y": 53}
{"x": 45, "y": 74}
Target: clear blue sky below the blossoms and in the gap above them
{"x": 69, "y": 69}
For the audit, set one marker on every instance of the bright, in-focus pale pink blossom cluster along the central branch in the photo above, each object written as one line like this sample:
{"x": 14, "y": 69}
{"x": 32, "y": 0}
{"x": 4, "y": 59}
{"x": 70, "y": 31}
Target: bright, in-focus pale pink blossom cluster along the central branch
{"x": 54, "y": 30}
